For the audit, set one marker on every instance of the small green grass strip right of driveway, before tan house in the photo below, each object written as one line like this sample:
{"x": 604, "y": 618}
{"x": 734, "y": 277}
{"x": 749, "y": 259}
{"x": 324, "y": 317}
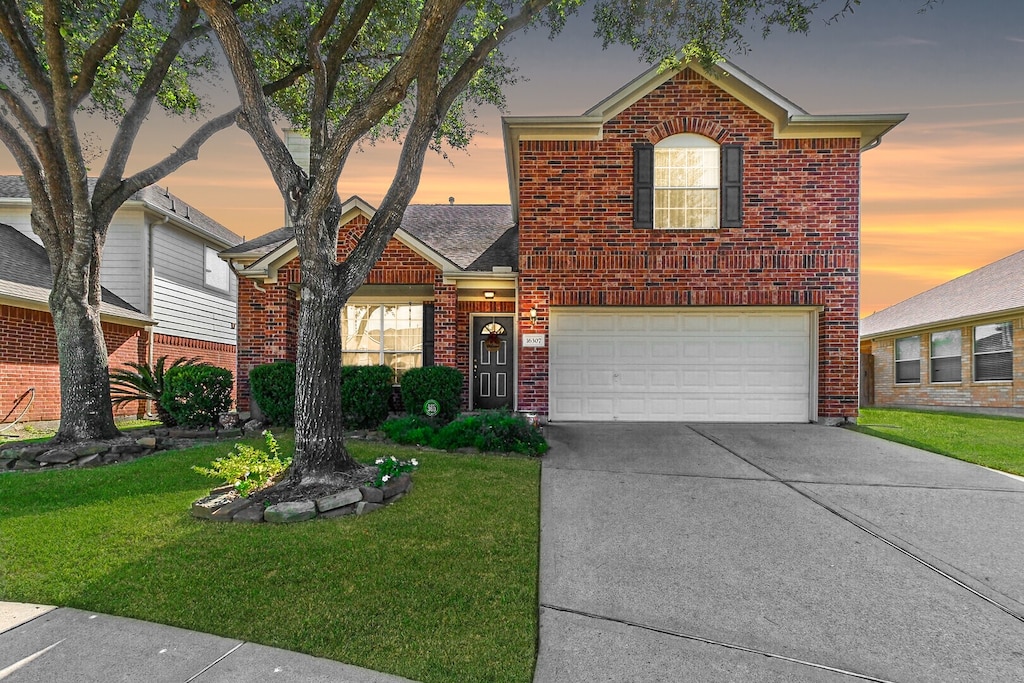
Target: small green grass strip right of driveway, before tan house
{"x": 994, "y": 442}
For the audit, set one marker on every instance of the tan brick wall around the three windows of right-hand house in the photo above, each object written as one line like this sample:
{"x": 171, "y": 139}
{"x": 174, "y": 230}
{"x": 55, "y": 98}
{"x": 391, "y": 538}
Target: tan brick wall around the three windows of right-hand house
{"x": 966, "y": 394}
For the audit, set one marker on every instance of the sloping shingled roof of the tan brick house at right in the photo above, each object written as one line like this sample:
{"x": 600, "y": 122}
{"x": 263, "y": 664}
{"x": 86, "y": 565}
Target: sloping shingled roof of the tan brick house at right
{"x": 989, "y": 291}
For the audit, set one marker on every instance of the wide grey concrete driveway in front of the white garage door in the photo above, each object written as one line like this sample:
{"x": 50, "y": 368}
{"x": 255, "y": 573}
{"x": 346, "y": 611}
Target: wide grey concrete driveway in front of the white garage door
{"x": 775, "y": 553}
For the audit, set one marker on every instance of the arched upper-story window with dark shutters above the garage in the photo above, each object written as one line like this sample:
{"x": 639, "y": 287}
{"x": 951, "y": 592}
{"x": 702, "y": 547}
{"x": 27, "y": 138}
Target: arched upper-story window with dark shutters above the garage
{"x": 688, "y": 182}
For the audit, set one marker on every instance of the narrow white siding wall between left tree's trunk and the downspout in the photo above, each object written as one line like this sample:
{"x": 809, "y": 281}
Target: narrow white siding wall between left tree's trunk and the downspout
{"x": 126, "y": 259}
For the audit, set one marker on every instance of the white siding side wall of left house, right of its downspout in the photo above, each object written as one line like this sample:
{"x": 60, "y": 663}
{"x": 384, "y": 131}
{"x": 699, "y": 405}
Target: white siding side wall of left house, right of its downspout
{"x": 183, "y": 305}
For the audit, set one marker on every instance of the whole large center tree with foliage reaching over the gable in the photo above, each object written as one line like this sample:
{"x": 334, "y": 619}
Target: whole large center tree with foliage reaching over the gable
{"x": 413, "y": 69}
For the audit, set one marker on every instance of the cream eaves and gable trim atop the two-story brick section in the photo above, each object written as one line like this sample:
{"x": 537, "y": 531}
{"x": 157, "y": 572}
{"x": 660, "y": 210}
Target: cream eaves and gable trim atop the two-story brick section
{"x": 790, "y": 120}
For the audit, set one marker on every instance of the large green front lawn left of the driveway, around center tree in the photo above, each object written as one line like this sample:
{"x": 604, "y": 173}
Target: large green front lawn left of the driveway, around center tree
{"x": 441, "y": 586}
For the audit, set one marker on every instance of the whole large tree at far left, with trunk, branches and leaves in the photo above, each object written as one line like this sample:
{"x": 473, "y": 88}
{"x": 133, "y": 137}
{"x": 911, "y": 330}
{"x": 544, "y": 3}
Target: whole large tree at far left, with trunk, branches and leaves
{"x": 62, "y": 60}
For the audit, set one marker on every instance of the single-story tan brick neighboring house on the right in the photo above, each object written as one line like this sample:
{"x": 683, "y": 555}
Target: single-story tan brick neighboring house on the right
{"x": 953, "y": 347}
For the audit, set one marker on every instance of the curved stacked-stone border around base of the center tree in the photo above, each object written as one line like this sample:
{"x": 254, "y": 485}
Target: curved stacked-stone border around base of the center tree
{"x": 225, "y": 505}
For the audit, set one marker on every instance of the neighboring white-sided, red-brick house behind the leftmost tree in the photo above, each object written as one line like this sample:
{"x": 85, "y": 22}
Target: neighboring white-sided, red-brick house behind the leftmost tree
{"x": 160, "y": 263}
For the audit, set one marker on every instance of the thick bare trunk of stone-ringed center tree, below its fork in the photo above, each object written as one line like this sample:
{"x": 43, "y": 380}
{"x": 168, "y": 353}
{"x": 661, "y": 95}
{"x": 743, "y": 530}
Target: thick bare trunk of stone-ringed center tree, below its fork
{"x": 320, "y": 445}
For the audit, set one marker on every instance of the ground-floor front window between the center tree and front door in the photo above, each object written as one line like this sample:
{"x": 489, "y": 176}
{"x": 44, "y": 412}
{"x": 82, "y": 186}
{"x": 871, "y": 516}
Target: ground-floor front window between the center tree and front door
{"x": 382, "y": 335}
